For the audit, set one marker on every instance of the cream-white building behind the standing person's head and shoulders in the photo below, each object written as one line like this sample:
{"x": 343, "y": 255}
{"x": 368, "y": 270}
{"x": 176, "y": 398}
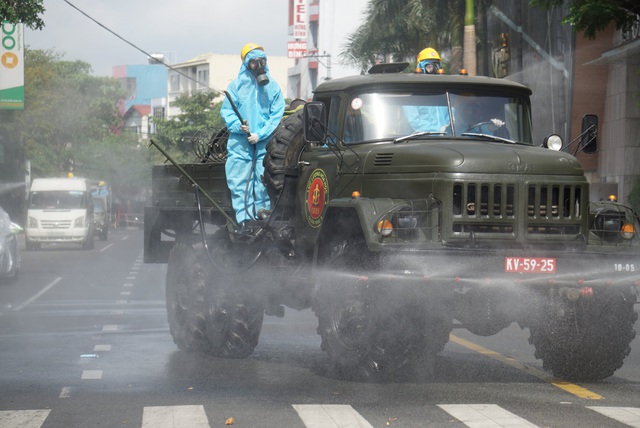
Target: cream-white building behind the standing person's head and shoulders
{"x": 213, "y": 72}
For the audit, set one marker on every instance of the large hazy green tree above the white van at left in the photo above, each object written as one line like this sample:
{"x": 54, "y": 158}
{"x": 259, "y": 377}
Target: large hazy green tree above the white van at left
{"x": 65, "y": 107}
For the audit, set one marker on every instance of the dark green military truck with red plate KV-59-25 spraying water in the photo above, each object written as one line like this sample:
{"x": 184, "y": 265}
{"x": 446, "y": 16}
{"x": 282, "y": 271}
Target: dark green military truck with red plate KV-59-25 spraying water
{"x": 397, "y": 215}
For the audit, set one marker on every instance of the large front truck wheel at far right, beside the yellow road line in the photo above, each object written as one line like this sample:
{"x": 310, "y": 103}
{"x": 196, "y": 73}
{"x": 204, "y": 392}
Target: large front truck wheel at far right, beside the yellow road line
{"x": 585, "y": 342}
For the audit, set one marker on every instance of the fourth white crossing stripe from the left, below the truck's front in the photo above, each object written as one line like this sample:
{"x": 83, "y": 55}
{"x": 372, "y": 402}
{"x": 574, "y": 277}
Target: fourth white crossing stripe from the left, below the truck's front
{"x": 485, "y": 416}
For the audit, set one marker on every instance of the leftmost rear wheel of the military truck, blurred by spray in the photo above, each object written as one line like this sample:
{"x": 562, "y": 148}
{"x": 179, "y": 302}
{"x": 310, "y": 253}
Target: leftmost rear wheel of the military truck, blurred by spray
{"x": 187, "y": 274}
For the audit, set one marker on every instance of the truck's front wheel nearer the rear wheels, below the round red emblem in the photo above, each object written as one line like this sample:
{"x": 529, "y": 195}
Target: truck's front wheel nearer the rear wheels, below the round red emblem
{"x": 360, "y": 342}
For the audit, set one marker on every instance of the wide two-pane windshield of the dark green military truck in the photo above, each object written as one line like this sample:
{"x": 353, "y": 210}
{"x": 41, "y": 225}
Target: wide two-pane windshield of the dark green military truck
{"x": 375, "y": 116}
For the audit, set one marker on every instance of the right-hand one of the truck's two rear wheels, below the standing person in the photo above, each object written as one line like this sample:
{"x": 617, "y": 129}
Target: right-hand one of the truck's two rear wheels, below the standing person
{"x": 234, "y": 316}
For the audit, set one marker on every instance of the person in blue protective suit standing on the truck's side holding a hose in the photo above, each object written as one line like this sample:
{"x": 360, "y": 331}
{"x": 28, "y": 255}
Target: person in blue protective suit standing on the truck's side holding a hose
{"x": 260, "y": 102}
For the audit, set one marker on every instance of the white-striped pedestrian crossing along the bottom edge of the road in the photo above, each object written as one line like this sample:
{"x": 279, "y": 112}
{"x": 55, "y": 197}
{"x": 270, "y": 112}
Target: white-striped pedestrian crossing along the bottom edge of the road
{"x": 326, "y": 416}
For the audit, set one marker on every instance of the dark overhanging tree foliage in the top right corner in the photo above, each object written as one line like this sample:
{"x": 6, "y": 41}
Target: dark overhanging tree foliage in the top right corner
{"x": 591, "y": 16}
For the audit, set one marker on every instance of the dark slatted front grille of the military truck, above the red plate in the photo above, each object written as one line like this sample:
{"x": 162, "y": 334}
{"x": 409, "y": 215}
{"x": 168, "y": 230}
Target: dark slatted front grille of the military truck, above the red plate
{"x": 493, "y": 208}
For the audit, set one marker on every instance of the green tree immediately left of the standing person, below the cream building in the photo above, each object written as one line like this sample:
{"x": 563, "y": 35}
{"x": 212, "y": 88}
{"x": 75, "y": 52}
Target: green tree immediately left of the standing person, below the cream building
{"x": 197, "y": 114}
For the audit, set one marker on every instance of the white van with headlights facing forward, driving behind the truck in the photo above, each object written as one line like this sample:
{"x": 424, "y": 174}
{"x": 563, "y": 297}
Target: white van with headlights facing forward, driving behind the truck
{"x": 59, "y": 210}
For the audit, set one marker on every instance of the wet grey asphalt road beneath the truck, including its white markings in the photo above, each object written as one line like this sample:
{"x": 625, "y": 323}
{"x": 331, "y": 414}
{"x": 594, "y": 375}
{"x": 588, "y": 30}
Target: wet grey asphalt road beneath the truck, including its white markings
{"x": 84, "y": 342}
